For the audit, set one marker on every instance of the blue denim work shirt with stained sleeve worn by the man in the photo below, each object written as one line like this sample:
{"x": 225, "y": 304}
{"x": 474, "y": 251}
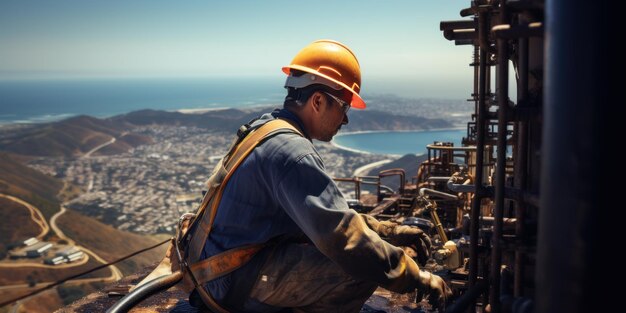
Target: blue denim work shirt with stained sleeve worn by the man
{"x": 282, "y": 189}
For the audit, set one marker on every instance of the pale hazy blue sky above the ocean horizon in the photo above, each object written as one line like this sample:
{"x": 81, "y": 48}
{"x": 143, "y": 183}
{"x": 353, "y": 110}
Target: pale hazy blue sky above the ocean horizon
{"x": 398, "y": 43}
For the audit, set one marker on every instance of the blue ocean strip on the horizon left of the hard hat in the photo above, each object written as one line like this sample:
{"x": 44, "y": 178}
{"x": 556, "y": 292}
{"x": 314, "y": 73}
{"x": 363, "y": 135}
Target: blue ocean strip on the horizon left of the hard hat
{"x": 27, "y": 101}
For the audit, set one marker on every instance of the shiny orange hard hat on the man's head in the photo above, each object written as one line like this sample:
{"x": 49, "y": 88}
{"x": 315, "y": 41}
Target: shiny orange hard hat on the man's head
{"x": 334, "y": 63}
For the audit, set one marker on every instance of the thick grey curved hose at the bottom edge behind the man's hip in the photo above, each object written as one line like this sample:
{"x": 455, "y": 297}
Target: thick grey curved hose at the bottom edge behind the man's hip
{"x": 144, "y": 291}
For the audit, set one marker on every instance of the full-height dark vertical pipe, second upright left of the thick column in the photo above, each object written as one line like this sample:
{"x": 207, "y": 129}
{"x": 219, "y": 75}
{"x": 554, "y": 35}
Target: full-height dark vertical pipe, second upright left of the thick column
{"x": 502, "y": 89}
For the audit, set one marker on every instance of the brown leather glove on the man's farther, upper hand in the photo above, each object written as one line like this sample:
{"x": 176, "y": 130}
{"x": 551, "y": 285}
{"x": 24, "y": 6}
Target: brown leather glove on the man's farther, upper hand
{"x": 402, "y": 235}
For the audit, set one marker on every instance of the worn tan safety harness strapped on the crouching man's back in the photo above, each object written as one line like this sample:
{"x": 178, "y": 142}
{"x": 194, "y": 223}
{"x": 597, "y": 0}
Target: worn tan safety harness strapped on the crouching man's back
{"x": 189, "y": 244}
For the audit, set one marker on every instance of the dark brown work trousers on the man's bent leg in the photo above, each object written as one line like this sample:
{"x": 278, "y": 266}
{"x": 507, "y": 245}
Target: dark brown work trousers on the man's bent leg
{"x": 300, "y": 277}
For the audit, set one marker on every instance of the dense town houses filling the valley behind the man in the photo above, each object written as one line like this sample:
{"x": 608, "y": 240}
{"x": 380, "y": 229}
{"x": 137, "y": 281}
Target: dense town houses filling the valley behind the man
{"x": 148, "y": 188}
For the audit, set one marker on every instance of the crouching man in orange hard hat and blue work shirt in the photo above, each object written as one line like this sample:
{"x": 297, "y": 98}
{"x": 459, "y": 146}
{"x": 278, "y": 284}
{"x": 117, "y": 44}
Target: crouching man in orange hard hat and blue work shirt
{"x": 317, "y": 255}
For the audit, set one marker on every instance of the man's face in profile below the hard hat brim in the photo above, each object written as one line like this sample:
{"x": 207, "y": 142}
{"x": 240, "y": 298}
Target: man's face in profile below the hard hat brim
{"x": 333, "y": 115}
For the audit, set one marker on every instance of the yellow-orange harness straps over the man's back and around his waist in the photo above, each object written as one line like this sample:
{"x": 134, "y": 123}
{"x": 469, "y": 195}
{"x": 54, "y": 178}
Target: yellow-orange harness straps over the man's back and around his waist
{"x": 200, "y": 272}
